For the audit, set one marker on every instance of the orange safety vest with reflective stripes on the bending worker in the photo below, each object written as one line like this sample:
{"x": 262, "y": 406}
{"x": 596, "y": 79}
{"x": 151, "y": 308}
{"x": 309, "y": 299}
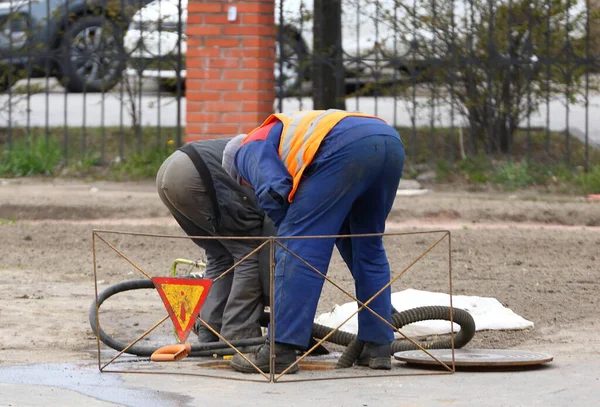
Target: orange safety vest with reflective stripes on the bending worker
{"x": 301, "y": 137}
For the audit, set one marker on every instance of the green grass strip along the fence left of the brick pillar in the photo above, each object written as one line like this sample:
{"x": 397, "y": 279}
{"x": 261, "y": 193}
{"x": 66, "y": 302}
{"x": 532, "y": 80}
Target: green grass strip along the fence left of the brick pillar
{"x": 97, "y": 152}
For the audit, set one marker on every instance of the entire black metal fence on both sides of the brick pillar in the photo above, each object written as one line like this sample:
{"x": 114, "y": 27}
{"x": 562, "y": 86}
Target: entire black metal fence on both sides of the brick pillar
{"x": 505, "y": 79}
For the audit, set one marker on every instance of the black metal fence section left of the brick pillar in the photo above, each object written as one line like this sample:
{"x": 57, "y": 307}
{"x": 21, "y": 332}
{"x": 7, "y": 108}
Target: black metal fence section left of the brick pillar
{"x": 75, "y": 78}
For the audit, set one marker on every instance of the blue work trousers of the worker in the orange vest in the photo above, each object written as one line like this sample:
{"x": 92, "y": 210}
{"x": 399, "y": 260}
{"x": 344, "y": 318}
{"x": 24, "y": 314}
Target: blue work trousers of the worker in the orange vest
{"x": 348, "y": 188}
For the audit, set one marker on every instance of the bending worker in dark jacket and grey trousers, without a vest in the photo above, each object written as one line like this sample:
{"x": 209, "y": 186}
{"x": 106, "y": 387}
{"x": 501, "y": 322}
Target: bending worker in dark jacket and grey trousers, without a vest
{"x": 205, "y": 201}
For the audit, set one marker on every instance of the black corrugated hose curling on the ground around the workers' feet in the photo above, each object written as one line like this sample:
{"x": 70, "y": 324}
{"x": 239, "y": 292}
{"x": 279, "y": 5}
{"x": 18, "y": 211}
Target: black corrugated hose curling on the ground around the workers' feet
{"x": 354, "y": 347}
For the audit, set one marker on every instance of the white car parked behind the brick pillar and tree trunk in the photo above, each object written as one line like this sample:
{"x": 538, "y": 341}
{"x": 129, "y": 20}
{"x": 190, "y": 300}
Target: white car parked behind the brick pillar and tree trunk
{"x": 369, "y": 40}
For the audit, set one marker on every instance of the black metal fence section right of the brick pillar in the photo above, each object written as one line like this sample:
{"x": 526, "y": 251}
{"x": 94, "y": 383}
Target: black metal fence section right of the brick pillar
{"x": 504, "y": 79}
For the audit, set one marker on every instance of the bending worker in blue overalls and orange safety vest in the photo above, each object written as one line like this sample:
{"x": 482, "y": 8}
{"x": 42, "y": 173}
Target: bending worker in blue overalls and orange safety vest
{"x": 323, "y": 173}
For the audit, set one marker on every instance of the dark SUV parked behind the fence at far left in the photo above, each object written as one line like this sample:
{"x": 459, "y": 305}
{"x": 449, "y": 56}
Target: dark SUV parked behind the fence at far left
{"x": 78, "y": 41}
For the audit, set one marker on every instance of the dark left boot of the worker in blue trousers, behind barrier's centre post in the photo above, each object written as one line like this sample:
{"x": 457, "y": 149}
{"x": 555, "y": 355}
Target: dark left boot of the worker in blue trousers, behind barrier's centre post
{"x": 285, "y": 355}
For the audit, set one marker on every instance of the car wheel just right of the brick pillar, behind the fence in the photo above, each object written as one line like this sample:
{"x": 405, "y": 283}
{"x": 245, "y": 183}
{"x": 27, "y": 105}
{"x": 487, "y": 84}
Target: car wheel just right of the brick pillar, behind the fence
{"x": 291, "y": 63}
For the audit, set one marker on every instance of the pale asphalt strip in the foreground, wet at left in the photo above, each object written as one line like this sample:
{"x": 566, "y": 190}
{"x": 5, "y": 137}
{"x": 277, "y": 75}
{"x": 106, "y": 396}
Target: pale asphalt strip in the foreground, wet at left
{"x": 565, "y": 382}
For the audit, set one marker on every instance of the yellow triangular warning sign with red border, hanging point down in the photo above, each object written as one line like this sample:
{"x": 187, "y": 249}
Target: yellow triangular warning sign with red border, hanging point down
{"x": 183, "y": 298}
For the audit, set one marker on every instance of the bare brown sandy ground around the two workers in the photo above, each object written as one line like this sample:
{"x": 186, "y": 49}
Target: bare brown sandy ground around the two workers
{"x": 538, "y": 255}
